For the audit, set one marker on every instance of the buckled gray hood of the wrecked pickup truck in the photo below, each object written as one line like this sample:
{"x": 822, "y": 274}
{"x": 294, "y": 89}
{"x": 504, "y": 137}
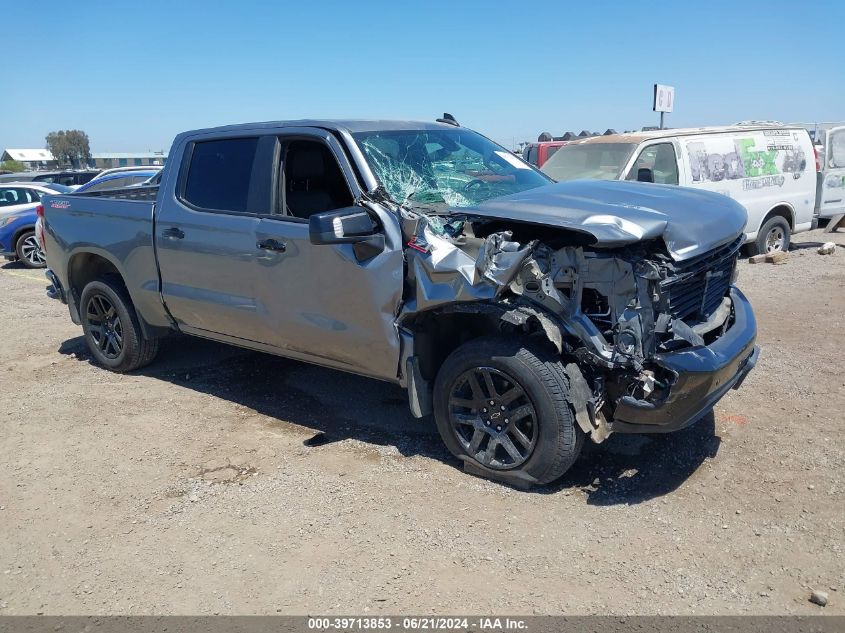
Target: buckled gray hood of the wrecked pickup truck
{"x": 617, "y": 213}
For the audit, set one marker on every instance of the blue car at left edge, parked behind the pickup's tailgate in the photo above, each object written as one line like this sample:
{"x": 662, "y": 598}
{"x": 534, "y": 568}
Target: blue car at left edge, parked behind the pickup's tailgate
{"x": 18, "y": 202}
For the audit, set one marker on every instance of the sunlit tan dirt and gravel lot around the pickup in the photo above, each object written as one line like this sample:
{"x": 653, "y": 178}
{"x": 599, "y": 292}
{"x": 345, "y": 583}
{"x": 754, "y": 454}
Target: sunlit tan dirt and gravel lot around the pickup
{"x": 190, "y": 487}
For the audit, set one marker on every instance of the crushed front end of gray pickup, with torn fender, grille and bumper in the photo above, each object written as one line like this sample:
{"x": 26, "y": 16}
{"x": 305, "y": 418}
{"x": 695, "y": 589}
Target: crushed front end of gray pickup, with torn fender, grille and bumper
{"x": 649, "y": 342}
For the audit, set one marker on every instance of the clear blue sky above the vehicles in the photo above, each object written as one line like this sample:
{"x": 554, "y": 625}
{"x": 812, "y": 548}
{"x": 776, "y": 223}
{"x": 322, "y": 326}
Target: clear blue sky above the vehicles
{"x": 133, "y": 75}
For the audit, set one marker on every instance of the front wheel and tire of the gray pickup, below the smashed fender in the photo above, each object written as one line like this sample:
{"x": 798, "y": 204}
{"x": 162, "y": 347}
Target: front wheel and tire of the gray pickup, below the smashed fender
{"x": 504, "y": 404}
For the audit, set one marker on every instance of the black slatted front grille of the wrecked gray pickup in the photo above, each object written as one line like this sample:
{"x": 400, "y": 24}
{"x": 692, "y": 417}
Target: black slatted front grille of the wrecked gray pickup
{"x": 697, "y": 286}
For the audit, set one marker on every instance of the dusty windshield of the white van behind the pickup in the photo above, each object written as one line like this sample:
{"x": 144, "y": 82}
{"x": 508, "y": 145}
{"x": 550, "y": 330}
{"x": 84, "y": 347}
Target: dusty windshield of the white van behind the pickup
{"x": 601, "y": 161}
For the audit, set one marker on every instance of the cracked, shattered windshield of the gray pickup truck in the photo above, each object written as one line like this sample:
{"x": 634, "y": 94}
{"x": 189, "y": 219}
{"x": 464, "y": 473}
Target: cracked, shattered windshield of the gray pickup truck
{"x": 456, "y": 168}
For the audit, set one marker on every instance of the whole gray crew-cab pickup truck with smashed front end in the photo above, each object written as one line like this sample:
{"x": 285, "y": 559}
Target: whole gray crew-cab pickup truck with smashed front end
{"x": 525, "y": 315}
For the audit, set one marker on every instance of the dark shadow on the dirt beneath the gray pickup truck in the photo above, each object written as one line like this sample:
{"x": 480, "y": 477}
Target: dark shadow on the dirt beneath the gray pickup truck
{"x": 624, "y": 469}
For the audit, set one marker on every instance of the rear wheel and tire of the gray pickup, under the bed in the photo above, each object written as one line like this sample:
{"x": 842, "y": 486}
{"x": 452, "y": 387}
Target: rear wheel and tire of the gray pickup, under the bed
{"x": 111, "y": 327}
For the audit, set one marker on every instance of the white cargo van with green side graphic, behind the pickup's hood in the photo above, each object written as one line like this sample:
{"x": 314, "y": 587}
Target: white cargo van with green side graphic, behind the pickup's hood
{"x": 769, "y": 169}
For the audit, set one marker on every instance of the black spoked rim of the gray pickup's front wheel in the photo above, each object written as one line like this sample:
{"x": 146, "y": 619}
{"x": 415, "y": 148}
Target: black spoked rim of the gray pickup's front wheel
{"x": 493, "y": 418}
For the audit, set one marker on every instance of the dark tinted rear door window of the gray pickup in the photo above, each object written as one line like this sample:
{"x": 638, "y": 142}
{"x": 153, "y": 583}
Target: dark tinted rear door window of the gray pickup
{"x": 219, "y": 174}
